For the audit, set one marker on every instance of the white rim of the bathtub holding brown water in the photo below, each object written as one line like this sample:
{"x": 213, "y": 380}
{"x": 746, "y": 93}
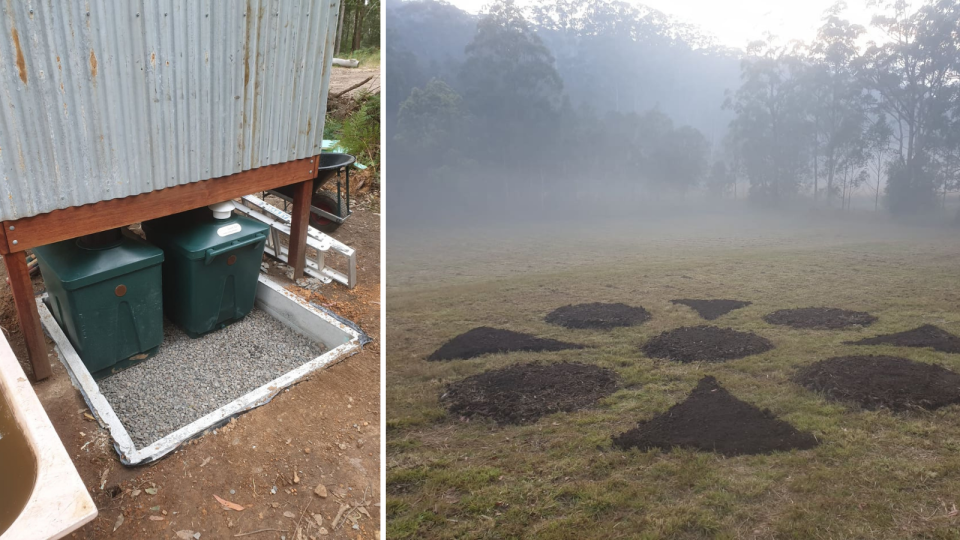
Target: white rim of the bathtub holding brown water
{"x": 59, "y": 503}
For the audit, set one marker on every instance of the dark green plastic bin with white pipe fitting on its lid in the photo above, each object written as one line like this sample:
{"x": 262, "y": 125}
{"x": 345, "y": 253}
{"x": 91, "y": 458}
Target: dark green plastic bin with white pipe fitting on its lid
{"x": 211, "y": 267}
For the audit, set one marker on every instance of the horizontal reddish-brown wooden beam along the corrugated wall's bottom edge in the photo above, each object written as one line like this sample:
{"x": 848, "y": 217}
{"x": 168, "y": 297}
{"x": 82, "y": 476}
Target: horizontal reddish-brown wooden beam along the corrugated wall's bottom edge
{"x": 80, "y": 220}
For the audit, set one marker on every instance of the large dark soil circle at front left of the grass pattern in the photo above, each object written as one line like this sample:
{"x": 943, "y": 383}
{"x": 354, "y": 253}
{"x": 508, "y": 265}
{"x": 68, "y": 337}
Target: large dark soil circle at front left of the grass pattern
{"x": 523, "y": 393}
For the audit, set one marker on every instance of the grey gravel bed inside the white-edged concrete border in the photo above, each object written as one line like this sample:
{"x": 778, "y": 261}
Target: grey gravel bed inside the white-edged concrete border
{"x": 190, "y": 378}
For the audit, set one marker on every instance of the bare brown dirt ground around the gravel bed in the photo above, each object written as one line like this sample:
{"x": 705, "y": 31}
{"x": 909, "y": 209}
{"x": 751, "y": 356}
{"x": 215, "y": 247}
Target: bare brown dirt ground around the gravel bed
{"x": 324, "y": 430}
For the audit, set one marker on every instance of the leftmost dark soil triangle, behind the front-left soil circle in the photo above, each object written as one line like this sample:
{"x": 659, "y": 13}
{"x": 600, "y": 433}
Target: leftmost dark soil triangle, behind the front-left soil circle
{"x": 486, "y": 340}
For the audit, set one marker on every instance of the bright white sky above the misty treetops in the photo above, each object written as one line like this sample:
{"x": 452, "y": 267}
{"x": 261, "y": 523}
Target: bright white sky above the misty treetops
{"x": 737, "y": 22}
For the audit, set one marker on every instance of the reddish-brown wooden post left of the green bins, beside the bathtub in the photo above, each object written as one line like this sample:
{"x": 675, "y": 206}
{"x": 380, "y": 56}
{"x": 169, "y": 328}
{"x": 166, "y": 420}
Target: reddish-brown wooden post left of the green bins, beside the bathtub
{"x": 19, "y": 275}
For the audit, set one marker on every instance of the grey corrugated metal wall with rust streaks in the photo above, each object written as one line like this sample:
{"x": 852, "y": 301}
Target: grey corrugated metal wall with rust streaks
{"x": 104, "y": 99}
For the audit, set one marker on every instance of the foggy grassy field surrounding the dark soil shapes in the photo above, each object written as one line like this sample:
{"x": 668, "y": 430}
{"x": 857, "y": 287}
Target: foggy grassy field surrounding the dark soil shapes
{"x": 874, "y": 475}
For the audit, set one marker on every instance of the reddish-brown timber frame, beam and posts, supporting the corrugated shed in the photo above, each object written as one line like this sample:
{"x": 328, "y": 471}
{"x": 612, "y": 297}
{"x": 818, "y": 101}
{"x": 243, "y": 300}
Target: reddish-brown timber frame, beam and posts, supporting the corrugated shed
{"x": 19, "y": 235}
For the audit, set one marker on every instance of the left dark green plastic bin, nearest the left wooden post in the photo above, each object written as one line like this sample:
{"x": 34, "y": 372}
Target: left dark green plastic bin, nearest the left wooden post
{"x": 105, "y": 293}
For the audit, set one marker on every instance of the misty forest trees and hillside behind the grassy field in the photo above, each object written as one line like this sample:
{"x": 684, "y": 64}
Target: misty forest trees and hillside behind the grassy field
{"x": 572, "y": 96}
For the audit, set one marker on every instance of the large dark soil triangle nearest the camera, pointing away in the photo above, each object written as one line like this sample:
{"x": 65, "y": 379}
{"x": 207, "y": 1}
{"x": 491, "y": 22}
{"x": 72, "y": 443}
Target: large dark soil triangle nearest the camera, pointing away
{"x": 711, "y": 419}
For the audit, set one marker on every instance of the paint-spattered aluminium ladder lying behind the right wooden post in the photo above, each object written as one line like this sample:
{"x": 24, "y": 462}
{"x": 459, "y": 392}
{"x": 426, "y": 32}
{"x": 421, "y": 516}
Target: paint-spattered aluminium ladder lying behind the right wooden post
{"x": 279, "y": 222}
